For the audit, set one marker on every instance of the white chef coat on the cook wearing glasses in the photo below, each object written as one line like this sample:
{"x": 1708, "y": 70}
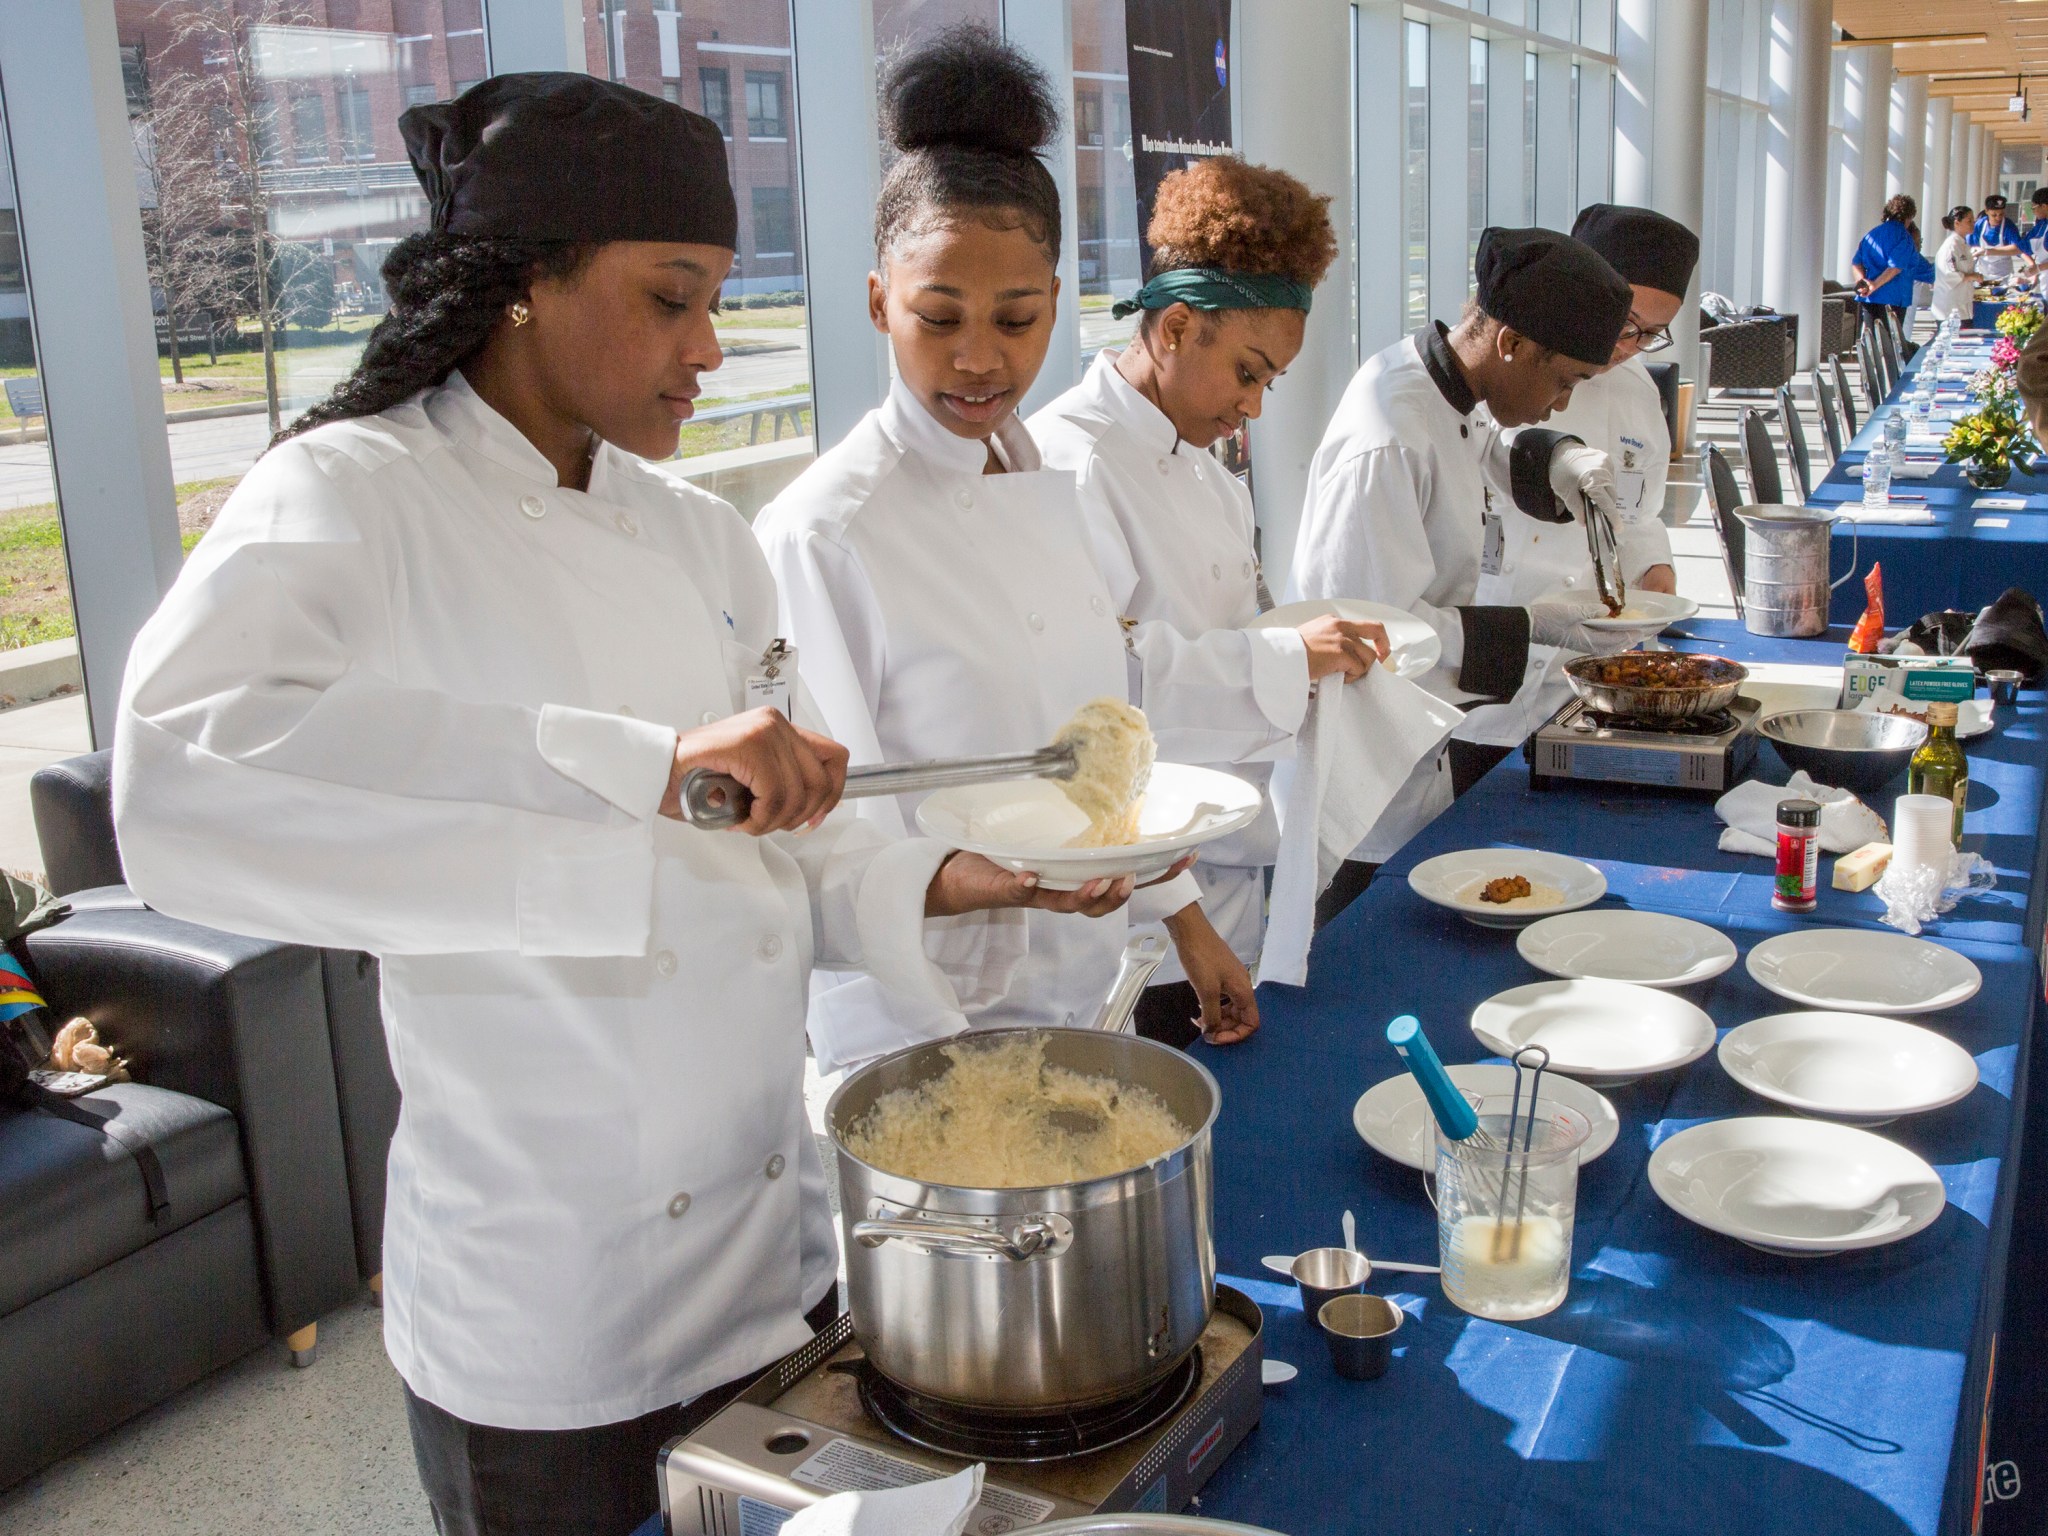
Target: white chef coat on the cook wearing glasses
{"x": 1621, "y": 415}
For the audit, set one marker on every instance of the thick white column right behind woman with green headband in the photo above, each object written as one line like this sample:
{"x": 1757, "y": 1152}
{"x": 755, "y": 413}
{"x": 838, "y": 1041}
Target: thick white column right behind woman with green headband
{"x": 1293, "y": 83}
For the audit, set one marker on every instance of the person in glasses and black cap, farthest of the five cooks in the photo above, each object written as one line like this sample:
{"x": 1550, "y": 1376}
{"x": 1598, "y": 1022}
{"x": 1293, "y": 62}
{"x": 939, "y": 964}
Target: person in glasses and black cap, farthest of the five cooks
{"x": 1619, "y": 413}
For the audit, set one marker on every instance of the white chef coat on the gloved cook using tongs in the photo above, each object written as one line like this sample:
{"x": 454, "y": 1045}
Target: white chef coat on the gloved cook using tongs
{"x": 1398, "y": 513}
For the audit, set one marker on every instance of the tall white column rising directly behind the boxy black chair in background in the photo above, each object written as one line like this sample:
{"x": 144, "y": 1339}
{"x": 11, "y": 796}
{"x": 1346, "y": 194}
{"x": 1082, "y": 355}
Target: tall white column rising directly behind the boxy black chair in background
{"x": 1795, "y": 245}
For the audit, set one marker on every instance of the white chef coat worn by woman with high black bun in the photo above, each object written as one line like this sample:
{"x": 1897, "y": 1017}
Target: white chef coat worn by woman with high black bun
{"x": 945, "y": 613}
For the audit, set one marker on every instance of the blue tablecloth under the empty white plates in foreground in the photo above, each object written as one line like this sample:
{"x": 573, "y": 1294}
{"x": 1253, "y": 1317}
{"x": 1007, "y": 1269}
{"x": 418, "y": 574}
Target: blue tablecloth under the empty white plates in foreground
{"x": 1689, "y": 1383}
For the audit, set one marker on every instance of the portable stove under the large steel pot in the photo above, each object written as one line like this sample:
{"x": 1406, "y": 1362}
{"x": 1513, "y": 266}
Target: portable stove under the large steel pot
{"x": 822, "y": 1422}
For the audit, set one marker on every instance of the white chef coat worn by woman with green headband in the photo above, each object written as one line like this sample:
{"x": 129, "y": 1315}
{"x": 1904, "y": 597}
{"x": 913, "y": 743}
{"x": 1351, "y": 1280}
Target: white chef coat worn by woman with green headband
{"x": 1172, "y": 534}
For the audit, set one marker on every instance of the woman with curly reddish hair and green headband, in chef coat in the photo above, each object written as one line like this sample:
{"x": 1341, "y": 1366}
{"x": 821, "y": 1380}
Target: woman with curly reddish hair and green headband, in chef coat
{"x": 1236, "y": 255}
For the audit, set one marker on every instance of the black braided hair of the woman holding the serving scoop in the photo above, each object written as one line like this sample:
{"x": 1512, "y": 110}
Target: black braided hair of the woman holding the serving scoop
{"x": 447, "y": 298}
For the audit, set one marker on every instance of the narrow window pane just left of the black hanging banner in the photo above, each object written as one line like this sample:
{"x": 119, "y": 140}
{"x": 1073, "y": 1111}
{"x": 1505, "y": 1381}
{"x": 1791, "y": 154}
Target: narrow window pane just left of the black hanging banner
{"x": 1107, "y": 194}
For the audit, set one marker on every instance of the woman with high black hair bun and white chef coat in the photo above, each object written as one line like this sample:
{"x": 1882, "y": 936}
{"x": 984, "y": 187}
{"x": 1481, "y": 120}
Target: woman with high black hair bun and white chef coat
{"x": 939, "y": 581}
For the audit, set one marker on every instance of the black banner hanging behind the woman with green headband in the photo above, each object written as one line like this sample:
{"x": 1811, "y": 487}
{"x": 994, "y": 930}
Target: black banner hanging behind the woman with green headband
{"x": 1181, "y": 89}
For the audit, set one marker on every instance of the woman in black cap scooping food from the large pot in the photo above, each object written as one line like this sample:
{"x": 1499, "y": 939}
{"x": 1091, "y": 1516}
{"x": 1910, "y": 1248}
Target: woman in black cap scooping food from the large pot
{"x": 429, "y": 689}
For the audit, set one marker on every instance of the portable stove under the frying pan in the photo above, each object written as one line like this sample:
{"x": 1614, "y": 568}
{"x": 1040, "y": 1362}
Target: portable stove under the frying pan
{"x": 1709, "y": 753}
